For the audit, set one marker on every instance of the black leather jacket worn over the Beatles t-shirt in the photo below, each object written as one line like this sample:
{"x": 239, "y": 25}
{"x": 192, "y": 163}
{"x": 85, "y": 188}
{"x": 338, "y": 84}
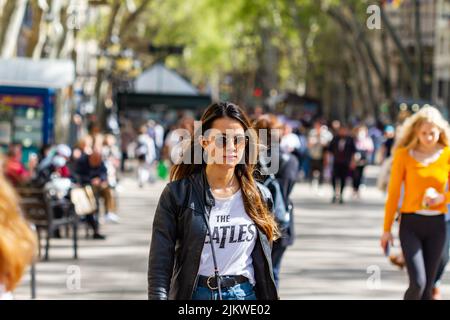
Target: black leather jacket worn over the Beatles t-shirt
{"x": 179, "y": 232}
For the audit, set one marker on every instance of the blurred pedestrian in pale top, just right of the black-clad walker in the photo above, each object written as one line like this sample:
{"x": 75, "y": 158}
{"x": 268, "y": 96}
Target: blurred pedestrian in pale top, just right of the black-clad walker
{"x": 364, "y": 149}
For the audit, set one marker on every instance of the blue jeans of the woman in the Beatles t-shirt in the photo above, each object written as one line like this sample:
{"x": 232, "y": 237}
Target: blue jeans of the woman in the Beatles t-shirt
{"x": 241, "y": 291}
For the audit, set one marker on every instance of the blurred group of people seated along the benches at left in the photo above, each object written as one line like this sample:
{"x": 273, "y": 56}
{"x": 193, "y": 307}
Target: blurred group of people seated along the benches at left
{"x": 94, "y": 161}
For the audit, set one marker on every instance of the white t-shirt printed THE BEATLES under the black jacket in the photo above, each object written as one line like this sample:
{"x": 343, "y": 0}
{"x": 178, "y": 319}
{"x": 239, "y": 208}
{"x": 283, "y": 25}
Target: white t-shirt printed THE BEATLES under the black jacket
{"x": 234, "y": 236}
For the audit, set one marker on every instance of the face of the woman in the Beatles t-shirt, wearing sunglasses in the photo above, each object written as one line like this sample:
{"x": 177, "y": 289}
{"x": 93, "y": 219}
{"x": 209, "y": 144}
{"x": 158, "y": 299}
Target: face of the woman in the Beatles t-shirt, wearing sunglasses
{"x": 225, "y": 142}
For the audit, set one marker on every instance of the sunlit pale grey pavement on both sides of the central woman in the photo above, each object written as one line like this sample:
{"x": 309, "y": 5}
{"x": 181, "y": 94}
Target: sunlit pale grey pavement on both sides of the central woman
{"x": 336, "y": 254}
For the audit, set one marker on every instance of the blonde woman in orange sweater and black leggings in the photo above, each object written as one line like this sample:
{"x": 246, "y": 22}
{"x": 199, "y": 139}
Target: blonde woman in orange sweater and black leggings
{"x": 422, "y": 164}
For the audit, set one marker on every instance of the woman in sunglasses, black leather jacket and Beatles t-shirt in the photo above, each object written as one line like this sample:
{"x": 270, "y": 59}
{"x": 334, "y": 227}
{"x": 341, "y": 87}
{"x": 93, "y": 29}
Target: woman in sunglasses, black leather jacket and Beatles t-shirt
{"x": 213, "y": 230}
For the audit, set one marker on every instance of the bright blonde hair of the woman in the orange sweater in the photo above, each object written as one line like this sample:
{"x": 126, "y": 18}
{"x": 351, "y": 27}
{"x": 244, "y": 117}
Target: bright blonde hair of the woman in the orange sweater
{"x": 408, "y": 133}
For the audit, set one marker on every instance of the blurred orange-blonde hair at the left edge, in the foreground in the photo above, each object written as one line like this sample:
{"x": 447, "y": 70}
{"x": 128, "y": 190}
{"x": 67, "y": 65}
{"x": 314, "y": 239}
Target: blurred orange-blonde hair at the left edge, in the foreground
{"x": 17, "y": 241}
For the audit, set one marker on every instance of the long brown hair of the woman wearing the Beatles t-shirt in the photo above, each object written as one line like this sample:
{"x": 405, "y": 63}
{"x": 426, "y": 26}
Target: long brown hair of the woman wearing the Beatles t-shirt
{"x": 254, "y": 206}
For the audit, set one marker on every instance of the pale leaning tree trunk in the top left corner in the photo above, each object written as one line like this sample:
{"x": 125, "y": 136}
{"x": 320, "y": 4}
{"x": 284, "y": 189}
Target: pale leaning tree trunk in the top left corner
{"x": 13, "y": 30}
